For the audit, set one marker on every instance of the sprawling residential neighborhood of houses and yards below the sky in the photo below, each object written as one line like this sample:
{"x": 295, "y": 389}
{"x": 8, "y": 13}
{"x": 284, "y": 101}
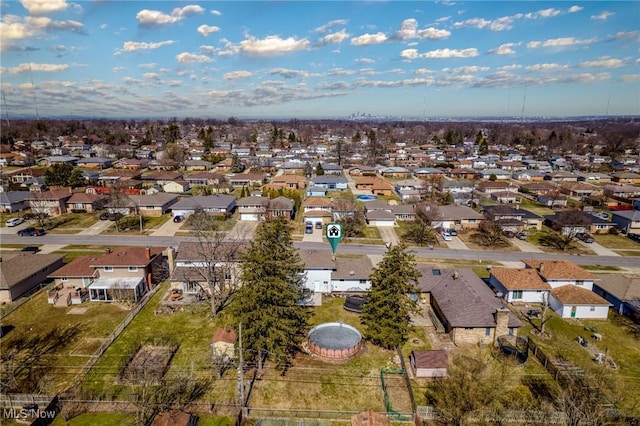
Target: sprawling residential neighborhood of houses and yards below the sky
{"x": 526, "y": 258}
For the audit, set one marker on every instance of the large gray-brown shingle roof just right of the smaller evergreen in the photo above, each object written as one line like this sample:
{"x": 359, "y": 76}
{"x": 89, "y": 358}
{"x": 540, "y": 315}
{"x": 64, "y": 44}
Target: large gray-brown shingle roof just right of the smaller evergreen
{"x": 463, "y": 298}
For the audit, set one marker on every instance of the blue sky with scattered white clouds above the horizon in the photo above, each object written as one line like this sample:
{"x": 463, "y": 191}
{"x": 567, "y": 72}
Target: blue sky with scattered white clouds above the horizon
{"x": 282, "y": 59}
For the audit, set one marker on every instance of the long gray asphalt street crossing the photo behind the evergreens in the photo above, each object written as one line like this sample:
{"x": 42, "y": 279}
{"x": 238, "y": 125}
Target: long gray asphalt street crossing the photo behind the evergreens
{"x": 483, "y": 257}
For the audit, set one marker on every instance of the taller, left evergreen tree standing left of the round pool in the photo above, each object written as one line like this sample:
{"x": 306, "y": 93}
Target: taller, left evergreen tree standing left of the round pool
{"x": 273, "y": 322}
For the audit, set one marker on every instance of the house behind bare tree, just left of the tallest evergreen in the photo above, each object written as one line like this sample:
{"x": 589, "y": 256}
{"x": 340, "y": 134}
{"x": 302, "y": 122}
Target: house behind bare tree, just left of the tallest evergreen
{"x": 194, "y": 265}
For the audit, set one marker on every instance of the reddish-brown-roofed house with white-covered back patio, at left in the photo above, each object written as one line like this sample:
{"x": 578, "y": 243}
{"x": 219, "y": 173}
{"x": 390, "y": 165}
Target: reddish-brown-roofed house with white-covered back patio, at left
{"x": 126, "y": 273}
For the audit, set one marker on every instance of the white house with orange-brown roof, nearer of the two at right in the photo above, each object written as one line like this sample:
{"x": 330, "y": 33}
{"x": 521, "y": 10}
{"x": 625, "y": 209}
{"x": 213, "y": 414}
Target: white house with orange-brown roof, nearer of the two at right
{"x": 570, "y": 301}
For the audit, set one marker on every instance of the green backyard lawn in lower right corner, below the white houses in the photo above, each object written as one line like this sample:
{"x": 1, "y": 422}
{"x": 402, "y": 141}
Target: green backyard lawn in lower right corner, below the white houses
{"x": 619, "y": 340}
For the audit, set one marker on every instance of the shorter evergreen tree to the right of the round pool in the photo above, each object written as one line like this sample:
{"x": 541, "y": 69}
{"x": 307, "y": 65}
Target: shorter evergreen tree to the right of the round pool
{"x": 386, "y": 313}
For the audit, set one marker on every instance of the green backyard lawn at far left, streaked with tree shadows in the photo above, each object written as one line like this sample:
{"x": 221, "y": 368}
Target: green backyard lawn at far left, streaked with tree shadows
{"x": 36, "y": 318}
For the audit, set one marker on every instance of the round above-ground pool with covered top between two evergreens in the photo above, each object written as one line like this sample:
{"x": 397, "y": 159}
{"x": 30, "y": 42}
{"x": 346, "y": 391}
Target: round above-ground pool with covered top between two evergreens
{"x": 335, "y": 340}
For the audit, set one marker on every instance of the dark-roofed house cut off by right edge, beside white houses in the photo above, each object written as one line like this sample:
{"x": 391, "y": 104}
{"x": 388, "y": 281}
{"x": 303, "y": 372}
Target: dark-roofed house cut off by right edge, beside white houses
{"x": 622, "y": 291}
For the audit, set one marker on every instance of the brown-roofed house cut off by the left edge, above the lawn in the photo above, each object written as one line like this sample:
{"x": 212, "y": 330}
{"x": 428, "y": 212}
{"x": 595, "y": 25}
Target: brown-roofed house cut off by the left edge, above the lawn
{"x": 24, "y": 272}
